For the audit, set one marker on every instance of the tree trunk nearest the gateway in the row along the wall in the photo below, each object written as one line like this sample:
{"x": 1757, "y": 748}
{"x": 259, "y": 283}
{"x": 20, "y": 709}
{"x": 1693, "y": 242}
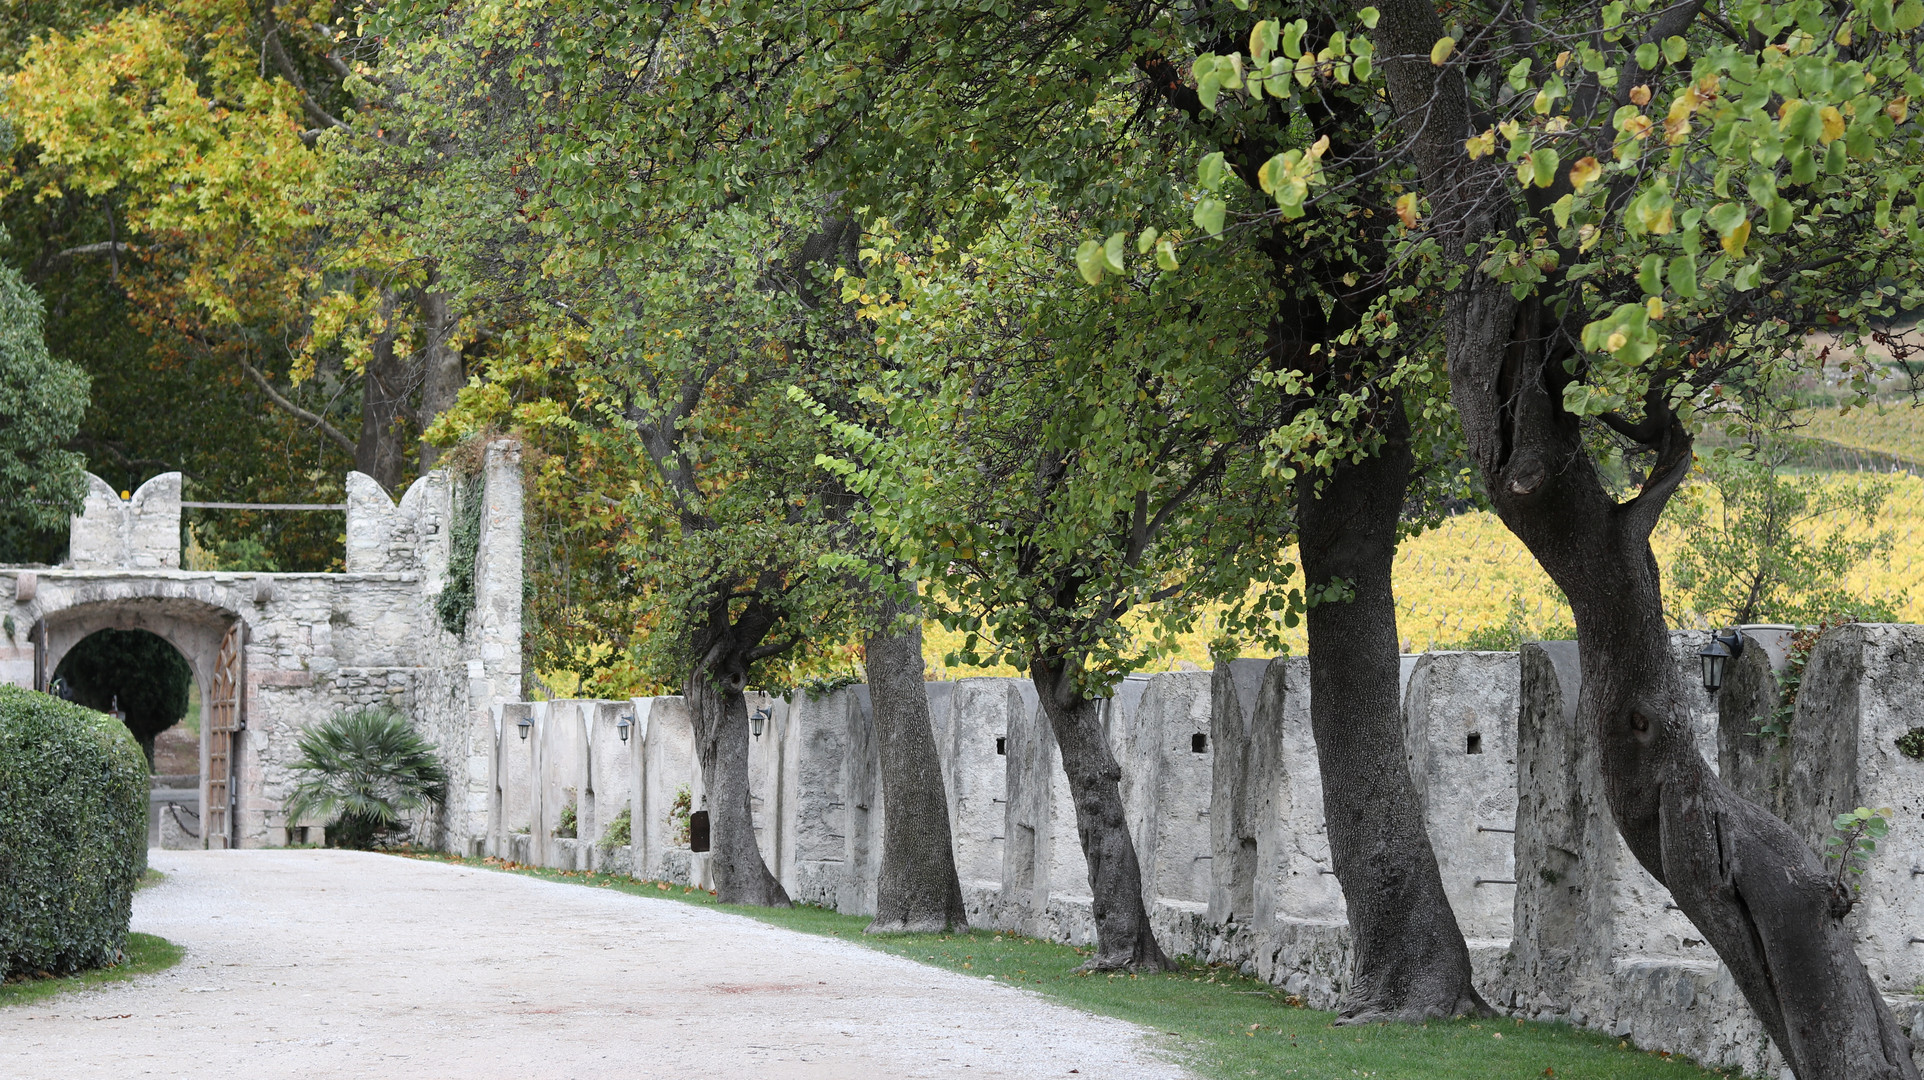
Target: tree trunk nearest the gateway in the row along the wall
{"x": 721, "y": 717}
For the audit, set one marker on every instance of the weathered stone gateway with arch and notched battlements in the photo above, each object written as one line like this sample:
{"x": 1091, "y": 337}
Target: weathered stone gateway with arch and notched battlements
{"x": 274, "y": 654}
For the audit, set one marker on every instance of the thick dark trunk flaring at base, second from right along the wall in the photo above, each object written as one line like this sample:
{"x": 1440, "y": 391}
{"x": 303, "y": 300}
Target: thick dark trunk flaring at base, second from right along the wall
{"x": 1411, "y": 962}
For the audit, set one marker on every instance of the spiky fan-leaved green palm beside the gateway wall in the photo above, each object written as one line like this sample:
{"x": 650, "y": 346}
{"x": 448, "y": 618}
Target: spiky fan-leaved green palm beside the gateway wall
{"x": 365, "y": 771}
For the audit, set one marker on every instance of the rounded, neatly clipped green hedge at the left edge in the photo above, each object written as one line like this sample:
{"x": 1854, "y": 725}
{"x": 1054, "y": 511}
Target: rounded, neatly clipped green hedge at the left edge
{"x": 72, "y": 835}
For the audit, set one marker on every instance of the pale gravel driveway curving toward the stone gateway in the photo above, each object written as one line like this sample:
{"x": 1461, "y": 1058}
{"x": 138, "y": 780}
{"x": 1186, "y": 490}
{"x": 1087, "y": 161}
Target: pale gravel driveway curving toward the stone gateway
{"x": 332, "y": 964}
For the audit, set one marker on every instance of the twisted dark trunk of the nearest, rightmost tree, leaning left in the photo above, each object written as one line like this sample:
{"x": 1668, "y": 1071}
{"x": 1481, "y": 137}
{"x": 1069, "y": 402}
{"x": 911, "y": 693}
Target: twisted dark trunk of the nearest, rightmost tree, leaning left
{"x": 1744, "y": 879}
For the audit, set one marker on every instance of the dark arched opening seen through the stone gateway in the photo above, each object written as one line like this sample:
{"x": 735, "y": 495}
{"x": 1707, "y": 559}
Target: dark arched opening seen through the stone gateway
{"x": 143, "y": 681}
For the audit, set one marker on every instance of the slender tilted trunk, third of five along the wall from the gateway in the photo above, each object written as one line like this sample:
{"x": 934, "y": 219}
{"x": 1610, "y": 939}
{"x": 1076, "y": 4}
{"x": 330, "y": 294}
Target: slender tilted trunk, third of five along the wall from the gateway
{"x": 1125, "y": 939}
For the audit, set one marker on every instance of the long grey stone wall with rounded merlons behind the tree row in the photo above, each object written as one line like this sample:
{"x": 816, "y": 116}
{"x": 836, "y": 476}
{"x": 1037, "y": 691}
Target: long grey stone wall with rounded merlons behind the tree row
{"x": 1225, "y": 800}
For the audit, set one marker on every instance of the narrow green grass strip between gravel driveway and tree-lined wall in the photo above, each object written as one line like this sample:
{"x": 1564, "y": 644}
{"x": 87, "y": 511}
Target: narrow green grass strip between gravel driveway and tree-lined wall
{"x": 1227, "y": 1025}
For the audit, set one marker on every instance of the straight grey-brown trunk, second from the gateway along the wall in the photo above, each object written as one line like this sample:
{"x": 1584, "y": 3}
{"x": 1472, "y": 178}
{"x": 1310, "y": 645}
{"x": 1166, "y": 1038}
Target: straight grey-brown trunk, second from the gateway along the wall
{"x": 919, "y": 890}
